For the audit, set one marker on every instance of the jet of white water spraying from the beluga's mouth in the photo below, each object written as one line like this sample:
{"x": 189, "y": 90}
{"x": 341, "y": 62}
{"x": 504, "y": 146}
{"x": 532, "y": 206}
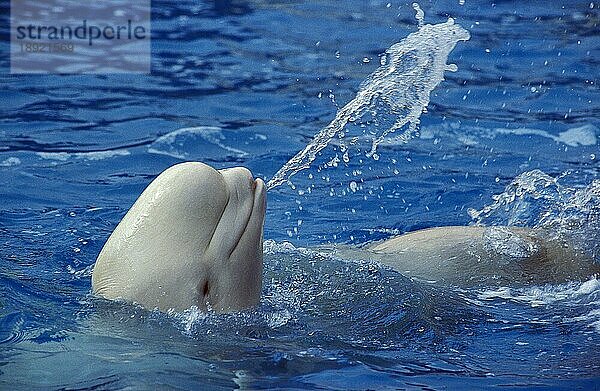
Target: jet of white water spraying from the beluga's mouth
{"x": 409, "y": 72}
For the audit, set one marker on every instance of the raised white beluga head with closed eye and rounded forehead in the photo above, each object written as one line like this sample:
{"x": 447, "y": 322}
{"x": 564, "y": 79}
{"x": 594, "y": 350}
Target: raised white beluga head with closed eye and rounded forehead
{"x": 192, "y": 238}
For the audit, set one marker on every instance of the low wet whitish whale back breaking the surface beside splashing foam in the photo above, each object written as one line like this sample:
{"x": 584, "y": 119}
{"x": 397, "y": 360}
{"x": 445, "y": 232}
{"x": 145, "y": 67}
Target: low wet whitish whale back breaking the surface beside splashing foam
{"x": 479, "y": 256}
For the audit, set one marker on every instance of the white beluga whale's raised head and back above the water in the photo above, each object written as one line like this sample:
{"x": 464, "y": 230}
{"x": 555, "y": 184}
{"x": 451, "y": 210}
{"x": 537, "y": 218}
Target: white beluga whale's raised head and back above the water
{"x": 194, "y": 238}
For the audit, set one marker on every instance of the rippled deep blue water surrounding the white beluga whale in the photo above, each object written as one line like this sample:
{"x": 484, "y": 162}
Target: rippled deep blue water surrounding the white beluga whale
{"x": 77, "y": 150}
